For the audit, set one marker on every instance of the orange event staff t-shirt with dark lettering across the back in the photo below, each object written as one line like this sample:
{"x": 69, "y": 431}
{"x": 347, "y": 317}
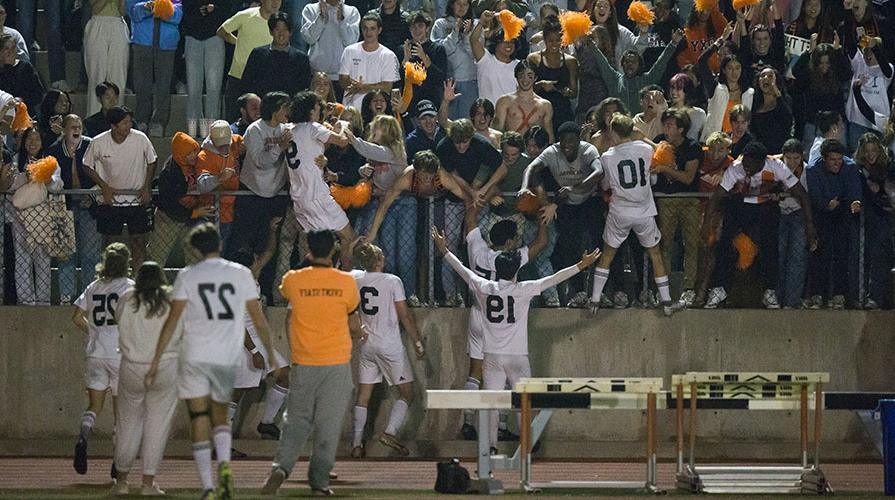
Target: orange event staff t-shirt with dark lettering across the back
{"x": 321, "y": 299}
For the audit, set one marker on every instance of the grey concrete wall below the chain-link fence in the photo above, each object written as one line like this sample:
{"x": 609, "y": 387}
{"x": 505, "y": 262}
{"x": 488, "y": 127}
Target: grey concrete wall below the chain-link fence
{"x": 42, "y": 363}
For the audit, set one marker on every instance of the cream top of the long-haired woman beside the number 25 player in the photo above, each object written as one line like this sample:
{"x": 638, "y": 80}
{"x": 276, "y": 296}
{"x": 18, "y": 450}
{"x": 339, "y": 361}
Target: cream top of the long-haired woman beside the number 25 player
{"x": 138, "y": 332}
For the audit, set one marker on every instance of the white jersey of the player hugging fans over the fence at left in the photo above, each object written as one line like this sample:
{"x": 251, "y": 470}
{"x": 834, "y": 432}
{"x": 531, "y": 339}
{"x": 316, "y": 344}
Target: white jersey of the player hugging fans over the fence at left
{"x": 305, "y": 177}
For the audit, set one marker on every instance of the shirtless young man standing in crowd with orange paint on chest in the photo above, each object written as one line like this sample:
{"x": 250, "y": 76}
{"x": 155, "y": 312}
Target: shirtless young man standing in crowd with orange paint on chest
{"x": 523, "y": 108}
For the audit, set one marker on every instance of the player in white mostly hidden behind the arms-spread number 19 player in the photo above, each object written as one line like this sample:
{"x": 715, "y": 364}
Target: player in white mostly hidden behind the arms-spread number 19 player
{"x": 503, "y": 235}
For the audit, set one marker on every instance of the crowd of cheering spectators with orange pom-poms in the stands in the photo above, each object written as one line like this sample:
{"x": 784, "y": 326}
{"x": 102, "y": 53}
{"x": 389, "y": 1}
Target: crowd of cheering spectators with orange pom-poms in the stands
{"x": 808, "y": 80}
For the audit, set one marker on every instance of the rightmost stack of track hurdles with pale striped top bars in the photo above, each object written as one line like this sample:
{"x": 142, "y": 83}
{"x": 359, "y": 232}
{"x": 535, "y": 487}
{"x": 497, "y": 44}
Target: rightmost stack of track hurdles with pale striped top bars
{"x": 760, "y": 391}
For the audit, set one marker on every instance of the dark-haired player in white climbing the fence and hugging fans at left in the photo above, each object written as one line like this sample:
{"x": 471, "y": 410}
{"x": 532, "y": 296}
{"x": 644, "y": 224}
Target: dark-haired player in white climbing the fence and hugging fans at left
{"x": 314, "y": 206}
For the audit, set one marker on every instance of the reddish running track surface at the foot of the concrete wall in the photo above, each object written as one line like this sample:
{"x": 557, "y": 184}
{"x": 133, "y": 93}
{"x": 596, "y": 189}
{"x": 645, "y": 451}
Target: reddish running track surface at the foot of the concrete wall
{"x": 57, "y": 473}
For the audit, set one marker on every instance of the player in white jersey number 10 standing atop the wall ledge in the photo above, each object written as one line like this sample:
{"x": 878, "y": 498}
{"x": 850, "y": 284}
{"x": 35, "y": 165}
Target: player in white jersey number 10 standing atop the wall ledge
{"x": 626, "y": 172}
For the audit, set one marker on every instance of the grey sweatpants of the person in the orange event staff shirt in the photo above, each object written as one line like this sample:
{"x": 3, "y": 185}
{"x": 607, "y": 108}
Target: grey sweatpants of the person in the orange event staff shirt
{"x": 318, "y": 400}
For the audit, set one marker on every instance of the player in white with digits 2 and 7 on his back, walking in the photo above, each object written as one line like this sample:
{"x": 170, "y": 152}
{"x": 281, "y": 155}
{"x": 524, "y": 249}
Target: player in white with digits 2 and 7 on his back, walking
{"x": 213, "y": 296}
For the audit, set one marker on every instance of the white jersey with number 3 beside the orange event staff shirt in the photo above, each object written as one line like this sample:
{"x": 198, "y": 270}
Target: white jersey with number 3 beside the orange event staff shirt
{"x": 378, "y": 294}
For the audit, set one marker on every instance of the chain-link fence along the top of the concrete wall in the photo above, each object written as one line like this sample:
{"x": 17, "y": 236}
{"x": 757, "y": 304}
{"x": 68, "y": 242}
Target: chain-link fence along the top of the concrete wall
{"x": 49, "y": 251}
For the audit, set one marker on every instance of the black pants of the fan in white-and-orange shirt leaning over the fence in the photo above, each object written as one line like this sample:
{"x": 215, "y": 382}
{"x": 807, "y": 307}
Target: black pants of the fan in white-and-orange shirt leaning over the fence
{"x": 757, "y": 221}
